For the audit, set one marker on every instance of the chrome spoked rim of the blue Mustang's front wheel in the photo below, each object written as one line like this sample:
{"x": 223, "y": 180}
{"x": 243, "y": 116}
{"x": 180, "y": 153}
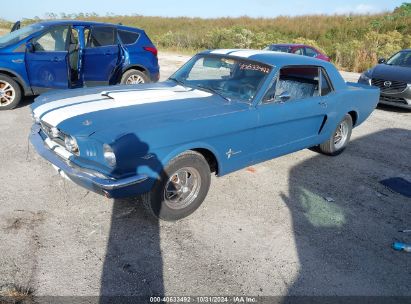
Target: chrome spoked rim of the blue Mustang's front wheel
{"x": 182, "y": 188}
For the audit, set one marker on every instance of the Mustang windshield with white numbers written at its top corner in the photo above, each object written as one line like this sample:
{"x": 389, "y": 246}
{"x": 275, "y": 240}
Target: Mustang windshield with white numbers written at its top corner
{"x": 233, "y": 79}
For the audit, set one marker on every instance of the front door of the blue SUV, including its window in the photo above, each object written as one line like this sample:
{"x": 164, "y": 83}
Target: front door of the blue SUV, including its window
{"x": 47, "y": 60}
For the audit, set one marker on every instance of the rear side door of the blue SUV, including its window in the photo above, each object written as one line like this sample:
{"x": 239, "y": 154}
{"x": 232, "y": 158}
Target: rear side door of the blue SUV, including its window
{"x": 101, "y": 56}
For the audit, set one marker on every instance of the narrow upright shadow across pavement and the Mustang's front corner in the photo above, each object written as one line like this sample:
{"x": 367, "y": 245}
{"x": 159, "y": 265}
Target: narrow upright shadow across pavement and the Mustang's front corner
{"x": 133, "y": 265}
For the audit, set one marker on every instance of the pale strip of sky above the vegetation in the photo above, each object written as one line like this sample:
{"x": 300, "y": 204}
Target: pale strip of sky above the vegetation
{"x": 15, "y": 10}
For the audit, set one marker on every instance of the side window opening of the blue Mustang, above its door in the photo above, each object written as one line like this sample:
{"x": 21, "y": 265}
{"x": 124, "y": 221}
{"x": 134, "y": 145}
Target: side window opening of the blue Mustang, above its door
{"x": 293, "y": 83}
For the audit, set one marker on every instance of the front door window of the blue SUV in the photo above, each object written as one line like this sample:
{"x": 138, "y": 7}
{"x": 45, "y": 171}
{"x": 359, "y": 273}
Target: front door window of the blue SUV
{"x": 54, "y": 40}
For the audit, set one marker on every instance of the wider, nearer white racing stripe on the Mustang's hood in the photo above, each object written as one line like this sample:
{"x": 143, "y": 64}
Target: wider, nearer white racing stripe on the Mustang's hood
{"x": 119, "y": 100}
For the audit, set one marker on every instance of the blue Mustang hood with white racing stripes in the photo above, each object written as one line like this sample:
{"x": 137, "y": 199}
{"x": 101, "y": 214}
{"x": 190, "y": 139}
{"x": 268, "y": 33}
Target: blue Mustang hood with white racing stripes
{"x": 86, "y": 111}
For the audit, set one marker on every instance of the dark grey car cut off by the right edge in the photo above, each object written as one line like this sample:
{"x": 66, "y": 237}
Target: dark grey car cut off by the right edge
{"x": 393, "y": 77}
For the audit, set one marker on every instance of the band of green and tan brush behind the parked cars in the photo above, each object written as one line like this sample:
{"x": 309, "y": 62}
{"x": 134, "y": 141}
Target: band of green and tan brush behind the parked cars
{"x": 353, "y": 42}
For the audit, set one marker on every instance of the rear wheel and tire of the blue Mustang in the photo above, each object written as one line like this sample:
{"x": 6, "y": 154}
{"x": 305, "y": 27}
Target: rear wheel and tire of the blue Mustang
{"x": 332, "y": 146}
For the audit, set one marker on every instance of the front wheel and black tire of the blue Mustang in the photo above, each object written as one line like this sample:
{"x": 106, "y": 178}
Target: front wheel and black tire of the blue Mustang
{"x": 156, "y": 201}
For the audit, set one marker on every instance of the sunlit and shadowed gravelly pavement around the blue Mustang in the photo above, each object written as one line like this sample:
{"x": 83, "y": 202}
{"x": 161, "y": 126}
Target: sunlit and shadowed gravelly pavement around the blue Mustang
{"x": 266, "y": 230}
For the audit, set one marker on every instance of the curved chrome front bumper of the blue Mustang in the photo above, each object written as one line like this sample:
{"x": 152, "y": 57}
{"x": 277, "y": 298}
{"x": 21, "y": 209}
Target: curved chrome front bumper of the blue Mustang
{"x": 113, "y": 188}
